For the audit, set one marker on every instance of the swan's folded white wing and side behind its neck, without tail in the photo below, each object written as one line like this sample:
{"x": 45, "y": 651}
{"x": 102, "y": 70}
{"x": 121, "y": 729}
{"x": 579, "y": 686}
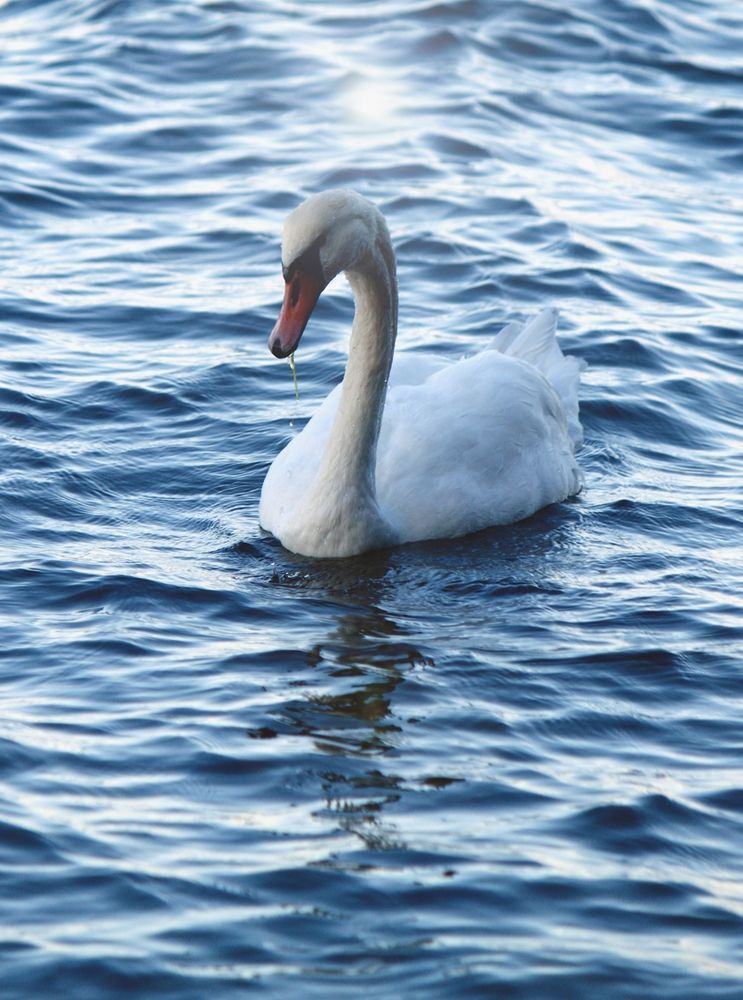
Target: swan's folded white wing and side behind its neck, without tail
{"x": 481, "y": 442}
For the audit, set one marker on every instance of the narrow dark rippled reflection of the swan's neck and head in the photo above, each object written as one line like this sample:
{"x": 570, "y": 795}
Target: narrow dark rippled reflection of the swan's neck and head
{"x": 351, "y": 720}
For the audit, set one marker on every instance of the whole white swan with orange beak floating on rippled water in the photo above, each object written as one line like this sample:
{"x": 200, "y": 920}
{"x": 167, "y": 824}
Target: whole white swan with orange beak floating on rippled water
{"x": 447, "y": 448}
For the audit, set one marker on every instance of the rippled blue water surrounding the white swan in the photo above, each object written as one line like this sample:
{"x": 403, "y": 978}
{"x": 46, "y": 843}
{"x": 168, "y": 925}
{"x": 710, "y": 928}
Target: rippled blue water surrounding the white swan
{"x": 509, "y": 765}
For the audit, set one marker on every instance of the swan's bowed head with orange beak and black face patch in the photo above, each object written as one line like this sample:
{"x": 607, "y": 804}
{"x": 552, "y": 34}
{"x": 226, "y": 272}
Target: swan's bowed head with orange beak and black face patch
{"x": 329, "y": 233}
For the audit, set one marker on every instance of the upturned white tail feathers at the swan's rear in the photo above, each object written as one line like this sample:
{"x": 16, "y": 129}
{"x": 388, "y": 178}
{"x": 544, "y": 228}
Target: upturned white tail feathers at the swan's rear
{"x": 536, "y": 342}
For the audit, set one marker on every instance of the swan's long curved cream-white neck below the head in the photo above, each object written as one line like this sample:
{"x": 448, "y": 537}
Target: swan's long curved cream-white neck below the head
{"x": 345, "y": 479}
